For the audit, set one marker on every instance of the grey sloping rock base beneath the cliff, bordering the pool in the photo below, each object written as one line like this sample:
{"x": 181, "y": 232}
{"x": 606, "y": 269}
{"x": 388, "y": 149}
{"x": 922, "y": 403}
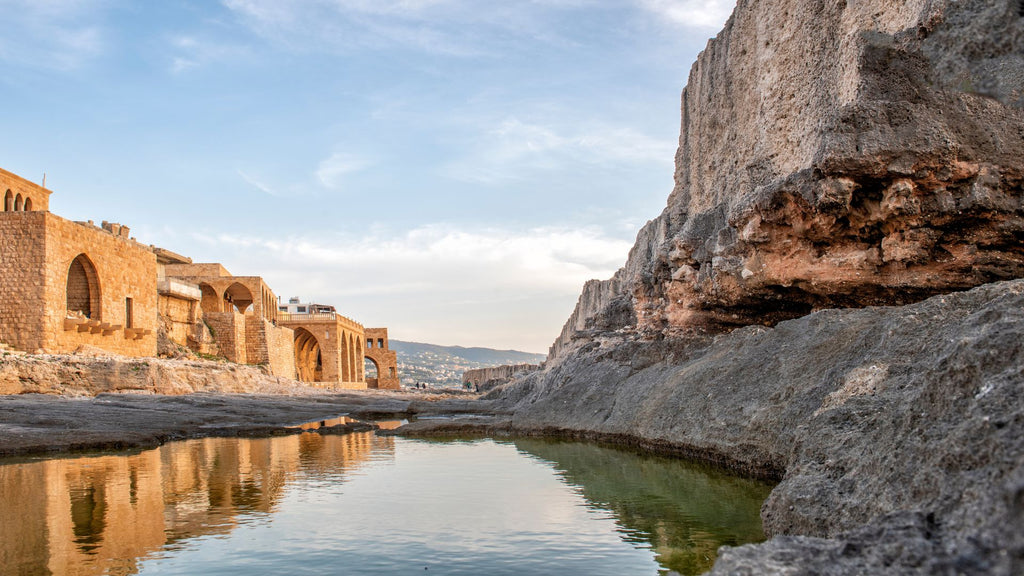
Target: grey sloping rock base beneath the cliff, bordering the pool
{"x": 898, "y": 433}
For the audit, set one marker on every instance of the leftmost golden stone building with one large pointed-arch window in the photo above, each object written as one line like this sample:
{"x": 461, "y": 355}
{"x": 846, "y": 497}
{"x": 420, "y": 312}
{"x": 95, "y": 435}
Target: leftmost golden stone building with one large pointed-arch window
{"x": 65, "y": 285}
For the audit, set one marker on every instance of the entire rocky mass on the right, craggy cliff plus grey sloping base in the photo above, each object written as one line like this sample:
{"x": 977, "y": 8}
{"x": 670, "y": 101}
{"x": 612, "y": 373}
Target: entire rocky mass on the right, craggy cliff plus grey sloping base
{"x": 833, "y": 155}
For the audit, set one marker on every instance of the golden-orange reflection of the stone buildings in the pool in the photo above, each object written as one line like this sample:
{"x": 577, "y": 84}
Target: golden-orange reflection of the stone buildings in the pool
{"x": 102, "y": 515}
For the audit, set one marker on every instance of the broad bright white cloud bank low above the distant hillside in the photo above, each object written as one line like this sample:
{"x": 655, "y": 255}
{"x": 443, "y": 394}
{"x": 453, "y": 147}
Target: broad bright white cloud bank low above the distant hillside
{"x": 438, "y": 283}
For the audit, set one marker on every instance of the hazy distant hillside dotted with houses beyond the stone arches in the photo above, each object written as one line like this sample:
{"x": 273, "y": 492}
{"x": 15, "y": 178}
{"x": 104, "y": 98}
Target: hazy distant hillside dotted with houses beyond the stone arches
{"x": 443, "y": 366}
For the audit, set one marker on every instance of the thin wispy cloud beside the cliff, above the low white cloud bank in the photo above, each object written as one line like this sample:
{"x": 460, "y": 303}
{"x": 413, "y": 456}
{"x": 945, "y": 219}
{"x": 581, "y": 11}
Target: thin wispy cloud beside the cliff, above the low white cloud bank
{"x": 515, "y": 150}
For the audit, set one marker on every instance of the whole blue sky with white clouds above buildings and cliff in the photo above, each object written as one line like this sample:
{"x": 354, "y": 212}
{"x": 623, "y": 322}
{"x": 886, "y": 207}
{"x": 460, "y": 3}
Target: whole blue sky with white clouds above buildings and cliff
{"x": 452, "y": 170}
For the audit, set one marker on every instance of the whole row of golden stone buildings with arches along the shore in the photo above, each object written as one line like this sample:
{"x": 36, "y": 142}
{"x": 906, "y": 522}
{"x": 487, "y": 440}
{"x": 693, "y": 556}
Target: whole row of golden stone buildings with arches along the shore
{"x": 66, "y": 285}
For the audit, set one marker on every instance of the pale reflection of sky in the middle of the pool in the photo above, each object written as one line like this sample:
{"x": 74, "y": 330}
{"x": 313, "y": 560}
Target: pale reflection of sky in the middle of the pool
{"x": 454, "y": 509}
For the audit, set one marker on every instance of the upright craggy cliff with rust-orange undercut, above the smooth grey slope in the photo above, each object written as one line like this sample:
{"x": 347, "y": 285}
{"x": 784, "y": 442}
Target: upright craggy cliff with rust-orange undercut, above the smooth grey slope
{"x": 834, "y": 154}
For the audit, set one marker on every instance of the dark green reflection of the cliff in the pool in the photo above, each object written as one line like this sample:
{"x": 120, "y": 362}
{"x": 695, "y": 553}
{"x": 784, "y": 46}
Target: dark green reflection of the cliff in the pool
{"x": 684, "y": 511}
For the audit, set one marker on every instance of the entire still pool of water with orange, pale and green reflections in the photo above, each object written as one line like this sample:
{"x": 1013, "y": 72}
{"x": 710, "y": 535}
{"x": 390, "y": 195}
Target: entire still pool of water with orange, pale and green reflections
{"x": 368, "y": 505}
